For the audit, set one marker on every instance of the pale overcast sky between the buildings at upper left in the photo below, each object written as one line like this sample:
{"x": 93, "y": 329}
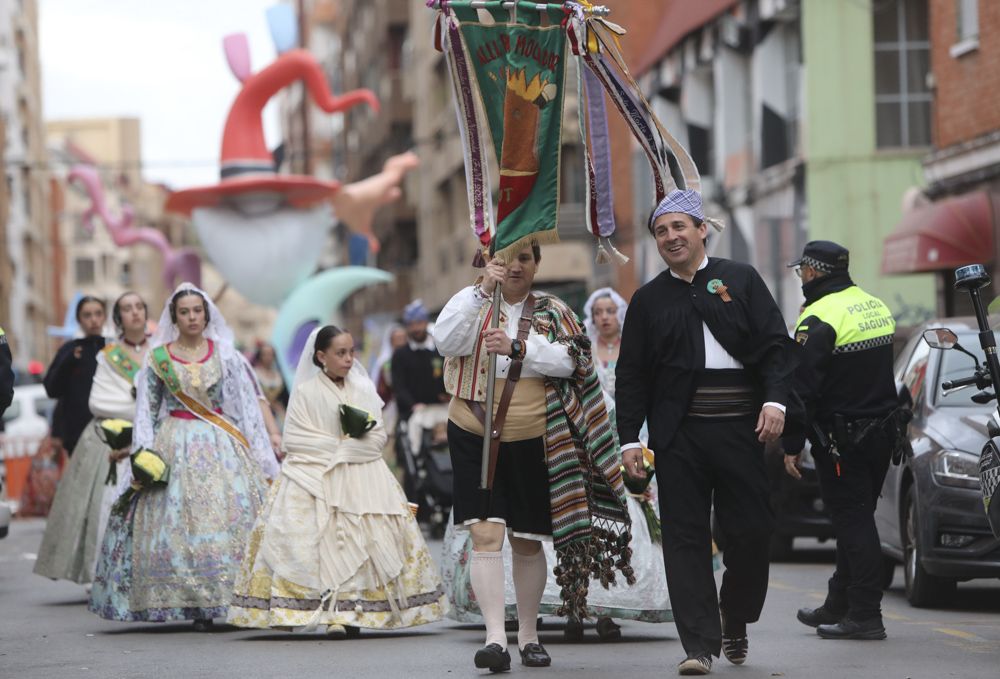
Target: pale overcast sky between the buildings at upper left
{"x": 159, "y": 61}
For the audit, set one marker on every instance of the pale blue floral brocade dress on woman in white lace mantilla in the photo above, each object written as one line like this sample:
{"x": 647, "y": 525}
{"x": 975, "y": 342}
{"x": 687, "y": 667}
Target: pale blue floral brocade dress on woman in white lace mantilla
{"x": 175, "y": 554}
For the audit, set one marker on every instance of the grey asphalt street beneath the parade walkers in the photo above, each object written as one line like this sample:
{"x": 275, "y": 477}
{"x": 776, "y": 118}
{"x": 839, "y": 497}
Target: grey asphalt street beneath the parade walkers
{"x": 47, "y": 633}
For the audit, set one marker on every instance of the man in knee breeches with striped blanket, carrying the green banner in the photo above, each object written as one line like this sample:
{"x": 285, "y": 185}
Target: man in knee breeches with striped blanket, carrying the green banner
{"x": 553, "y": 465}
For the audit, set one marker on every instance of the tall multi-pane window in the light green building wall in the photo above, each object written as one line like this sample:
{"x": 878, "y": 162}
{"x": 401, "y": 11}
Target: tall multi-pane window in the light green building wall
{"x": 902, "y": 62}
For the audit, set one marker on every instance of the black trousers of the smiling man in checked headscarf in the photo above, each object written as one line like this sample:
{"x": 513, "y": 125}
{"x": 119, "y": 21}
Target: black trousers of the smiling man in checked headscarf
{"x": 720, "y": 460}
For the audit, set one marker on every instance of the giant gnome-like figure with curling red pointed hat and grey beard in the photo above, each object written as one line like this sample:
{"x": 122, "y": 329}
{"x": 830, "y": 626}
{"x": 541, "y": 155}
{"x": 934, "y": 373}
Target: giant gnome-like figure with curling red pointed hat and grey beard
{"x": 263, "y": 230}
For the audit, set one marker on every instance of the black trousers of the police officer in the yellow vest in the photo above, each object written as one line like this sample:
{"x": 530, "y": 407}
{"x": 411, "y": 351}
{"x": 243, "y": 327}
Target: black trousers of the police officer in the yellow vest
{"x": 856, "y": 585}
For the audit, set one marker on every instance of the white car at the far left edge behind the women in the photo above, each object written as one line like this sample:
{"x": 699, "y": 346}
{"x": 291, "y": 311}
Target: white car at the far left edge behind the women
{"x": 26, "y": 423}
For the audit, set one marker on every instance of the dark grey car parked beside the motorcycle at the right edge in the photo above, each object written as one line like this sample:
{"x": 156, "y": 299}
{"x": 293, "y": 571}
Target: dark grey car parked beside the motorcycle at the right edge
{"x": 931, "y": 517}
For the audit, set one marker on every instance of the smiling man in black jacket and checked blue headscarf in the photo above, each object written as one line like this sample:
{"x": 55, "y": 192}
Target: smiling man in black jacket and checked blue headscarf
{"x": 707, "y": 362}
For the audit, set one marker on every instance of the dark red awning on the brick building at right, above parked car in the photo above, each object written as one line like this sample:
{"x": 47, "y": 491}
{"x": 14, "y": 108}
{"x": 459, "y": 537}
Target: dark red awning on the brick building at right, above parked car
{"x": 944, "y": 235}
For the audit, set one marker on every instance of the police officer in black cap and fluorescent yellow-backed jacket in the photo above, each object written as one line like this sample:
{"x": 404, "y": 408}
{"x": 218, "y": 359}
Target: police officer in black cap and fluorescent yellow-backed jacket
{"x": 846, "y": 384}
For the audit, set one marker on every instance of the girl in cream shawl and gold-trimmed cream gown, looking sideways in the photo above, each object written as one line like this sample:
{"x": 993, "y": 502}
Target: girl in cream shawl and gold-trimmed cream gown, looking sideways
{"x": 337, "y": 544}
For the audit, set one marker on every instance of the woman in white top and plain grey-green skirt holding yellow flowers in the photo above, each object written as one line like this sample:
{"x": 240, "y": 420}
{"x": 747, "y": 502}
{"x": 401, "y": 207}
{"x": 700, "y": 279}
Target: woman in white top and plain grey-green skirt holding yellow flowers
{"x": 75, "y": 526}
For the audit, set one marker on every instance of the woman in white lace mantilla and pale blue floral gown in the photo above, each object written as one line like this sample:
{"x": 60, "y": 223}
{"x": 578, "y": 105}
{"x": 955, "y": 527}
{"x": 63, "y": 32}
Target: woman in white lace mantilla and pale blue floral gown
{"x": 173, "y": 554}
